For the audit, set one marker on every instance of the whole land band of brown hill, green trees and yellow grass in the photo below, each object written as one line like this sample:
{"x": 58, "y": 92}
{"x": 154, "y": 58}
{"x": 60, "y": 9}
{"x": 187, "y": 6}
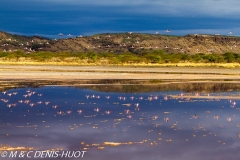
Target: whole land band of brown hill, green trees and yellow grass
{"x": 122, "y": 49}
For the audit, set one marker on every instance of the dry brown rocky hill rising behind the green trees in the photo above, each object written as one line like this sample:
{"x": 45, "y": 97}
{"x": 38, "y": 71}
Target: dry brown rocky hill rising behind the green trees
{"x": 123, "y": 42}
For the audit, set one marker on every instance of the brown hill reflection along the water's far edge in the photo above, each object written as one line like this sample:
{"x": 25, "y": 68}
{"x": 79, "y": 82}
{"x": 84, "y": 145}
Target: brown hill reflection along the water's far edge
{"x": 128, "y": 86}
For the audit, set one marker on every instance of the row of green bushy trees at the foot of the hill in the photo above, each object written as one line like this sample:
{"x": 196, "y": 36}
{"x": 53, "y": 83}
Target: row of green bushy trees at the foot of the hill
{"x": 155, "y": 57}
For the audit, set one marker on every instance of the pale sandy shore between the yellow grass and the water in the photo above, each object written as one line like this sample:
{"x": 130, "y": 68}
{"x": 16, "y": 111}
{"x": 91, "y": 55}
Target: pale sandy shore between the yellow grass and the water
{"x": 13, "y": 72}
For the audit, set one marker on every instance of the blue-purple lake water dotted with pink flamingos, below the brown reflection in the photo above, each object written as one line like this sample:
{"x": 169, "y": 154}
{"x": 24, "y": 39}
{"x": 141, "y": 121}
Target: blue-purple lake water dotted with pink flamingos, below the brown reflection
{"x": 117, "y": 125}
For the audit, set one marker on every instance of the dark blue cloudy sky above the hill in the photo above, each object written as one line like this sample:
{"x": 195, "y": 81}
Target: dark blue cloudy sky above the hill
{"x": 78, "y": 17}
